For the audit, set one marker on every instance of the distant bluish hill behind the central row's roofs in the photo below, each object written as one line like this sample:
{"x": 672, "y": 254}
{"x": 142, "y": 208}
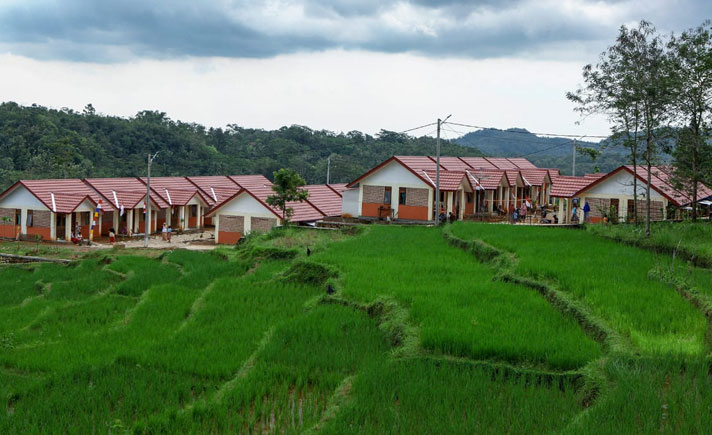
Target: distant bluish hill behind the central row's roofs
{"x": 545, "y": 152}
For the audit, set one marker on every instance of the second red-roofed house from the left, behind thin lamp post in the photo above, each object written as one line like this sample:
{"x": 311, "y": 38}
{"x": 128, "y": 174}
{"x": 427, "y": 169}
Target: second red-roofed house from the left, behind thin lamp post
{"x": 128, "y": 197}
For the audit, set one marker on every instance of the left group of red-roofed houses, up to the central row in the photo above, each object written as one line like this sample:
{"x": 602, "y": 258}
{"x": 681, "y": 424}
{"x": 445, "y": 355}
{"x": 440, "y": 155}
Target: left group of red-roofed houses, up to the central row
{"x": 56, "y": 209}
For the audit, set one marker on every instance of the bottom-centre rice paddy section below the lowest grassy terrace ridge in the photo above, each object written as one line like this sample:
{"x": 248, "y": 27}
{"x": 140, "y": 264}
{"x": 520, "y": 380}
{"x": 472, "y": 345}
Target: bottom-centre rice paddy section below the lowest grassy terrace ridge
{"x": 427, "y": 396}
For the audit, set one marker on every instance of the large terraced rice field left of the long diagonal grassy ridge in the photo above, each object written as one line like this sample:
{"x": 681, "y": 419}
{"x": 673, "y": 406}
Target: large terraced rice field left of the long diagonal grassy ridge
{"x": 239, "y": 340}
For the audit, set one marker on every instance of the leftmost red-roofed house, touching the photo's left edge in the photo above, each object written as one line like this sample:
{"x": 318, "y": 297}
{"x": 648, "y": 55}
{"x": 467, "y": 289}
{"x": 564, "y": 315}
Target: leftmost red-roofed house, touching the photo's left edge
{"x": 50, "y": 209}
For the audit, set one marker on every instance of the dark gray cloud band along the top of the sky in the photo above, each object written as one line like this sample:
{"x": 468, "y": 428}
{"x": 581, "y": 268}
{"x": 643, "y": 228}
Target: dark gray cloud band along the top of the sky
{"x": 91, "y": 30}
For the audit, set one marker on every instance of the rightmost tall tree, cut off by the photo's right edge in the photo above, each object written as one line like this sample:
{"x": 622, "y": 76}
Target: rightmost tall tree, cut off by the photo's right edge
{"x": 691, "y": 62}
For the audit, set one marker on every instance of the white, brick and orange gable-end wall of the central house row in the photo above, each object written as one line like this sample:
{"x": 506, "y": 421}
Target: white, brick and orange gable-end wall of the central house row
{"x": 395, "y": 176}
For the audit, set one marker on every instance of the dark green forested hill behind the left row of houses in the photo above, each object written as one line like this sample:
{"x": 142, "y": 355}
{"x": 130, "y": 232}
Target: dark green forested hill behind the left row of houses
{"x": 37, "y": 142}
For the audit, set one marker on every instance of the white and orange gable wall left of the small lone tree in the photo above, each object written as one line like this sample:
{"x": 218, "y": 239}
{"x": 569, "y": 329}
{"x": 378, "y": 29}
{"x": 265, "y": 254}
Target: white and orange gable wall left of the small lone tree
{"x": 241, "y": 216}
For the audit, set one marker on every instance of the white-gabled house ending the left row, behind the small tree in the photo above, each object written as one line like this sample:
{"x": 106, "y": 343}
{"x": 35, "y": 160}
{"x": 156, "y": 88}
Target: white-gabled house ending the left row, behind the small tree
{"x": 247, "y": 211}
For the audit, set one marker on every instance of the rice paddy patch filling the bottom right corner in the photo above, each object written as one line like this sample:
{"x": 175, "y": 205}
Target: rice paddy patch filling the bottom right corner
{"x": 651, "y": 395}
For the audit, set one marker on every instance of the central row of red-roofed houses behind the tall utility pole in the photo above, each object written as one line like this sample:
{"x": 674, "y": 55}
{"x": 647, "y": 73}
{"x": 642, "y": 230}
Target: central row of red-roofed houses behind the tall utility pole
{"x": 403, "y": 187}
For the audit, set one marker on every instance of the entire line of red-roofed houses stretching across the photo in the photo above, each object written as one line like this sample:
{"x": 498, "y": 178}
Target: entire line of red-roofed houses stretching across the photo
{"x": 402, "y": 188}
